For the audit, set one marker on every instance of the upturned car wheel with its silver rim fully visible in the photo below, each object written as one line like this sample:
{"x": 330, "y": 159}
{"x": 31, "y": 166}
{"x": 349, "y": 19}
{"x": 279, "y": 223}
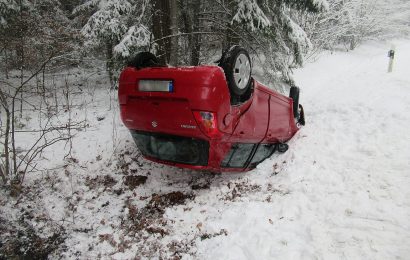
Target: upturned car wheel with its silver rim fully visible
{"x": 237, "y": 66}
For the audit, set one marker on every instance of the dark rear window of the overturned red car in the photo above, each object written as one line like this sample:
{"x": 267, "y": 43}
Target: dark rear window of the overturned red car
{"x": 172, "y": 148}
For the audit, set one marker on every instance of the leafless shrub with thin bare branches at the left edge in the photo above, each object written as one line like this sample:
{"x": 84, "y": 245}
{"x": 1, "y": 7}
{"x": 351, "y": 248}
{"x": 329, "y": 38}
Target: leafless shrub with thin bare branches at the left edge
{"x": 15, "y": 163}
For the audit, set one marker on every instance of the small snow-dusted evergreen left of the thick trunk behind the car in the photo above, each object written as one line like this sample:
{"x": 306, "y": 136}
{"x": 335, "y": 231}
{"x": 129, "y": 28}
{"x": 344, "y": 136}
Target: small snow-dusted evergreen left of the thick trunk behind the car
{"x": 115, "y": 28}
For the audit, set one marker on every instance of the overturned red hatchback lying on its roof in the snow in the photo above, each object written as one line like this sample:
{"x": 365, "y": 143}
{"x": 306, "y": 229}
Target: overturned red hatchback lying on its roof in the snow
{"x": 215, "y": 118}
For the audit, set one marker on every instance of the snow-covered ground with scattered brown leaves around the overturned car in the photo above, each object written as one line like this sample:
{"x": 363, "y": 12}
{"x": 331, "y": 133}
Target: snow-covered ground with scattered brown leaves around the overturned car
{"x": 340, "y": 192}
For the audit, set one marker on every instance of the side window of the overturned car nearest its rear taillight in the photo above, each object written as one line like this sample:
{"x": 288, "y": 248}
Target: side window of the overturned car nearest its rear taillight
{"x": 238, "y": 155}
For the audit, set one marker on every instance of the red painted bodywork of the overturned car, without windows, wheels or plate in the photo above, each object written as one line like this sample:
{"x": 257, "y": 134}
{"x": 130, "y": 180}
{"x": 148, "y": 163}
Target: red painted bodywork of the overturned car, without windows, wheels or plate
{"x": 266, "y": 117}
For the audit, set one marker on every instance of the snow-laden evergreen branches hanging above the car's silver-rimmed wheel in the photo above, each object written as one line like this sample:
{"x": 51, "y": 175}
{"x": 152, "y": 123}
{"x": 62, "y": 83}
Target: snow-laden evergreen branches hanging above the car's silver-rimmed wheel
{"x": 267, "y": 26}
